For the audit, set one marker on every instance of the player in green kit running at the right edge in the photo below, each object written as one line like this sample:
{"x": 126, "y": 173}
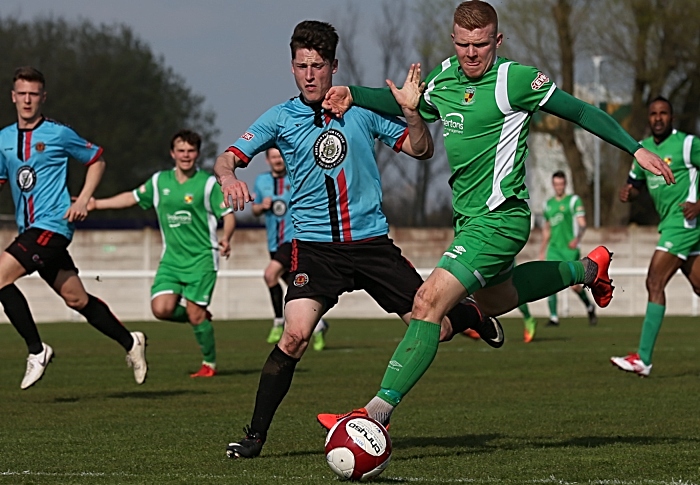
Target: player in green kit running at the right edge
{"x": 678, "y": 208}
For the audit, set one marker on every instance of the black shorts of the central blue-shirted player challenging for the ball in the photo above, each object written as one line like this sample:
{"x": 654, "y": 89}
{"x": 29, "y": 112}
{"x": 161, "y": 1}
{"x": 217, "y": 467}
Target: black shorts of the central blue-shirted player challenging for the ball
{"x": 327, "y": 270}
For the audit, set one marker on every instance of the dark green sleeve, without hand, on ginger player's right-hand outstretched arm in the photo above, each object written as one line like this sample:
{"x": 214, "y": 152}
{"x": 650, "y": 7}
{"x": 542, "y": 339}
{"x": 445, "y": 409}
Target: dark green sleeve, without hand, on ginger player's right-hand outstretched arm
{"x": 591, "y": 119}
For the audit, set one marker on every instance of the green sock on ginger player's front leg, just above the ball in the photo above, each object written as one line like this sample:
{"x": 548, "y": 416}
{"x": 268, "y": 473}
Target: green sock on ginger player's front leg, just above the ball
{"x": 411, "y": 359}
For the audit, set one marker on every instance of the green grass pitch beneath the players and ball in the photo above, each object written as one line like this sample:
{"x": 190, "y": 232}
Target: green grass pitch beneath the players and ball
{"x": 553, "y": 411}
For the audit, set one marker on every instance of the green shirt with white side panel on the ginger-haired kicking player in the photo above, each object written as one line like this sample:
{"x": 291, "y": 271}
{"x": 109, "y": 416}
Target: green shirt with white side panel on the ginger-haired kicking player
{"x": 485, "y": 127}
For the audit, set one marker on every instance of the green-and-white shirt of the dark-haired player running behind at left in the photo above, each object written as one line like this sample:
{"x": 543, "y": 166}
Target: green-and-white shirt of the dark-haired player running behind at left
{"x": 187, "y": 213}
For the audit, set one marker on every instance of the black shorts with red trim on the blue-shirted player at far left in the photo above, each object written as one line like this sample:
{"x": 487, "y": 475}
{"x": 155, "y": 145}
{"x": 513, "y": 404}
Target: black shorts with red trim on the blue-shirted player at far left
{"x": 42, "y": 251}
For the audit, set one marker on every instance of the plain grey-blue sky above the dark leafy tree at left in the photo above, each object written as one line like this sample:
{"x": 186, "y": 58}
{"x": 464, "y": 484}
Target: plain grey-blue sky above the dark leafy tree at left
{"x": 233, "y": 52}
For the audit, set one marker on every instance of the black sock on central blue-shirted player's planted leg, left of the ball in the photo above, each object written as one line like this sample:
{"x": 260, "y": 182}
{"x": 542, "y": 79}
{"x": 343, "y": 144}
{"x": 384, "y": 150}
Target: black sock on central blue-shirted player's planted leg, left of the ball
{"x": 275, "y": 380}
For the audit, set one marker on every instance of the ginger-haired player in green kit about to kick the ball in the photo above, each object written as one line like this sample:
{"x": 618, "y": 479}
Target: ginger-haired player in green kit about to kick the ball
{"x": 485, "y": 104}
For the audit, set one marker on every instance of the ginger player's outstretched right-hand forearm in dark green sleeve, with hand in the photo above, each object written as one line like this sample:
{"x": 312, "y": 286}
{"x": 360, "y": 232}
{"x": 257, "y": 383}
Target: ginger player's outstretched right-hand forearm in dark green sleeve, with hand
{"x": 601, "y": 124}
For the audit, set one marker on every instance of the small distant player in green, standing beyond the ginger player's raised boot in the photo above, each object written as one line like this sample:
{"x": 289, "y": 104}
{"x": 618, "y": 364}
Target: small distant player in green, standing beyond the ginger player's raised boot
{"x": 564, "y": 226}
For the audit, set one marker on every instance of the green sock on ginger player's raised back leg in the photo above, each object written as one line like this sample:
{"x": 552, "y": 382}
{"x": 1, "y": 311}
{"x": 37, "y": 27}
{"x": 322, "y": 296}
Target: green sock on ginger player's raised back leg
{"x": 539, "y": 279}
